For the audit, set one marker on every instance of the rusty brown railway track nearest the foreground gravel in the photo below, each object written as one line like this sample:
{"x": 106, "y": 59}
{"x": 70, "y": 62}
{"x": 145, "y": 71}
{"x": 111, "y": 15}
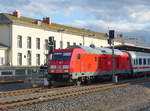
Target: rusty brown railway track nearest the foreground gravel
{"x": 9, "y": 102}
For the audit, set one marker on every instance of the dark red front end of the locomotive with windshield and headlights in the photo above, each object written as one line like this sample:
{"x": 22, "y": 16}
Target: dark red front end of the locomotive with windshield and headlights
{"x": 59, "y": 66}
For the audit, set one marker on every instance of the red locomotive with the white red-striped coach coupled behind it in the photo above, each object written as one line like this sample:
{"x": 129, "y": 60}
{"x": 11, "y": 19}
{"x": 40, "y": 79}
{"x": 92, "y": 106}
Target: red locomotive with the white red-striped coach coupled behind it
{"x": 81, "y": 64}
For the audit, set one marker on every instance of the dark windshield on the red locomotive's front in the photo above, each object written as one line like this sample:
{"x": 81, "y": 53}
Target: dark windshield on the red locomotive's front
{"x": 61, "y": 56}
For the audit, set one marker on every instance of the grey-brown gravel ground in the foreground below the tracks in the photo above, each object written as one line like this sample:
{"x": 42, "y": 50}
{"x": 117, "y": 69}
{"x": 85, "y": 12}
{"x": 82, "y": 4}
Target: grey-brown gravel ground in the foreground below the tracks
{"x": 133, "y": 98}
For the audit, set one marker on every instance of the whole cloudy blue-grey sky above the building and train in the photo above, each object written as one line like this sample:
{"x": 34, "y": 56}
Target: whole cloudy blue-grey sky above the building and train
{"x": 130, "y": 17}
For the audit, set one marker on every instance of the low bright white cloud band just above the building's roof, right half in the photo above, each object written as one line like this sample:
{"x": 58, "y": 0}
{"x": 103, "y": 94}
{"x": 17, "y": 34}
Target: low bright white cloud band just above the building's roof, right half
{"x": 99, "y": 25}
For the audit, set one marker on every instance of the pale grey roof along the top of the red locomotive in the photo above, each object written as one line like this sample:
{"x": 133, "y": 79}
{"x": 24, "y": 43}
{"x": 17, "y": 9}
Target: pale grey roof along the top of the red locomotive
{"x": 99, "y": 50}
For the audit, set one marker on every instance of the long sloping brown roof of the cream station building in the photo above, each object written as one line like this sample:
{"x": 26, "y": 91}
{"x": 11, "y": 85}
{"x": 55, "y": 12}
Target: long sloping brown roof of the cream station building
{"x": 10, "y": 19}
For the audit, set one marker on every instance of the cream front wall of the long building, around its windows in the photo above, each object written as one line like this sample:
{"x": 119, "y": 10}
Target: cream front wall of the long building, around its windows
{"x": 44, "y": 34}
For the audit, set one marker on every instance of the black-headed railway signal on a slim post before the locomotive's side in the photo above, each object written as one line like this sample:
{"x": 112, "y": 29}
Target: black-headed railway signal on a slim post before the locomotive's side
{"x": 111, "y": 43}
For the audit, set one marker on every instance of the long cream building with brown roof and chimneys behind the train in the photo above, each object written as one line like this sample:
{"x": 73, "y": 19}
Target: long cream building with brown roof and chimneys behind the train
{"x": 27, "y": 38}
